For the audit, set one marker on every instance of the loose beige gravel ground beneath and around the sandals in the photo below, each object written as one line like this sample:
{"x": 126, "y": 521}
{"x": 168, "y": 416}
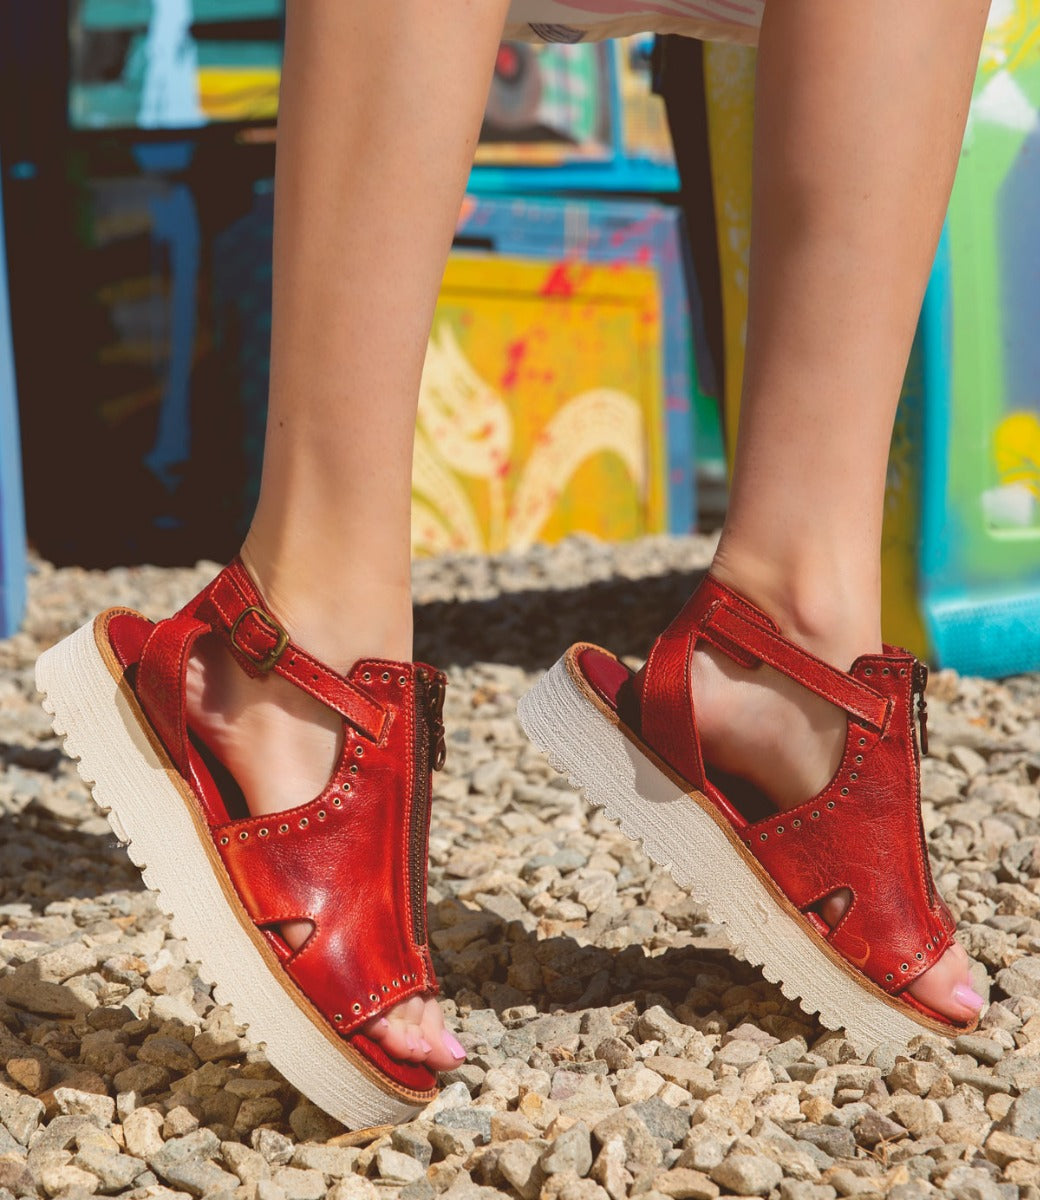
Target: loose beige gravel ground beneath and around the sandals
{"x": 616, "y": 1049}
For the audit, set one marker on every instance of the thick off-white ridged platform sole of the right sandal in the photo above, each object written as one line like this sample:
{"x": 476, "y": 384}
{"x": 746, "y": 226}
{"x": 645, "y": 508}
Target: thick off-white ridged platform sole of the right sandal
{"x": 677, "y": 833}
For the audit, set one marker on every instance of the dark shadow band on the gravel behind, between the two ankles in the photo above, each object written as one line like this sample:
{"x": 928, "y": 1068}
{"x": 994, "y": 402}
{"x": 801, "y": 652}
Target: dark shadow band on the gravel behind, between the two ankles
{"x": 532, "y": 629}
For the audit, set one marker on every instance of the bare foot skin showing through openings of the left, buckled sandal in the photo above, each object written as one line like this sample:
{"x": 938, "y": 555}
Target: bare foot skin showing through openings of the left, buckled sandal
{"x": 281, "y": 748}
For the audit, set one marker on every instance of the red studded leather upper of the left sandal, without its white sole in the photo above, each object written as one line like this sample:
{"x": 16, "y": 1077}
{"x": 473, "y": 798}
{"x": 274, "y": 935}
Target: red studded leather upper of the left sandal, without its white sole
{"x": 352, "y": 862}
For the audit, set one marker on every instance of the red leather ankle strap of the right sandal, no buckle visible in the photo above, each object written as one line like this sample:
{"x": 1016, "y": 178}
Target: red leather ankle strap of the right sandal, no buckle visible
{"x": 732, "y": 628}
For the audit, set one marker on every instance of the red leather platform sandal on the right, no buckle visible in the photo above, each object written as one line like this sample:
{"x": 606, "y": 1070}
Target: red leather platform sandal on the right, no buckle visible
{"x": 630, "y": 741}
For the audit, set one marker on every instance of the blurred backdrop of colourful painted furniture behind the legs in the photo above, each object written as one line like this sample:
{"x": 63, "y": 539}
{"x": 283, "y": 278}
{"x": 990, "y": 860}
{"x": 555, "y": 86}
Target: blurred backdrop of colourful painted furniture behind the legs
{"x": 585, "y": 368}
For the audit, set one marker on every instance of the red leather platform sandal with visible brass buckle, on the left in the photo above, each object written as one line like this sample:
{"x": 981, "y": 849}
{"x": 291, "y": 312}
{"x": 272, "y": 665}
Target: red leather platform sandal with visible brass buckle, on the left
{"x": 353, "y": 862}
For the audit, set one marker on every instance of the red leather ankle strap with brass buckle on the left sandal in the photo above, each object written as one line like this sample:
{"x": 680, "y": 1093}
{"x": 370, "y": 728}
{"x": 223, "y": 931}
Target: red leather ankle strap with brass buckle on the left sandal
{"x": 236, "y": 609}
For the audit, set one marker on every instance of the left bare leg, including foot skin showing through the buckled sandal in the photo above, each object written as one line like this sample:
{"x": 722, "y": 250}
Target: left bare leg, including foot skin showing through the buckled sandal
{"x": 381, "y": 110}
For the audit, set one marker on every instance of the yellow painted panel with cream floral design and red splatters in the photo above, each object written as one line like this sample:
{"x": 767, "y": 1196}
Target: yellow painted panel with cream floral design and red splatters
{"x": 542, "y": 407}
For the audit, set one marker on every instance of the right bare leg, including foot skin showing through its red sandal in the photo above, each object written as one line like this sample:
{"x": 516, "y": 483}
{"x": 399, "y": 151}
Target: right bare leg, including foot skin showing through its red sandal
{"x": 861, "y": 113}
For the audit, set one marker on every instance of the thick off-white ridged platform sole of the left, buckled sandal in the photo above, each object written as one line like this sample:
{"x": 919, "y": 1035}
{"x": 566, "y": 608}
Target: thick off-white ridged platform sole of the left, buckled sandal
{"x": 146, "y": 809}
